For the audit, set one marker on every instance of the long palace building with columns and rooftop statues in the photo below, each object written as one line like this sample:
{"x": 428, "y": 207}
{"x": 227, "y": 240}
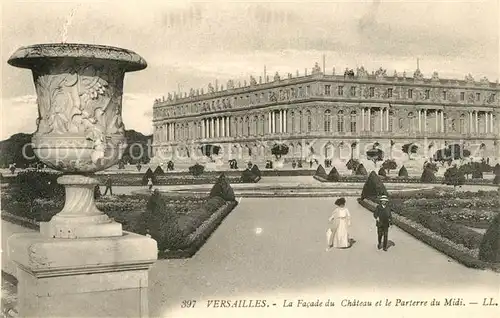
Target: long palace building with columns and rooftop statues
{"x": 327, "y": 114}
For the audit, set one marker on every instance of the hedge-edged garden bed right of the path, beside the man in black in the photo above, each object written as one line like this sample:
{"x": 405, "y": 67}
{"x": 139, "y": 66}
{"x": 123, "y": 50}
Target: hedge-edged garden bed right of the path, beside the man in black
{"x": 438, "y": 217}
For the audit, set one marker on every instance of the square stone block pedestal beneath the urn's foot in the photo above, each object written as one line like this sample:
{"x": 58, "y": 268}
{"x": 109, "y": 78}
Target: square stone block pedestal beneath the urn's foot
{"x": 88, "y": 277}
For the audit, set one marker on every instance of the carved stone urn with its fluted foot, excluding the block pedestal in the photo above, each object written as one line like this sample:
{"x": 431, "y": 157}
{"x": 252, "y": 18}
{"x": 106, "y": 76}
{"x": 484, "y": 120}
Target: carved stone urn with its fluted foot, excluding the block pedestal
{"x": 80, "y": 131}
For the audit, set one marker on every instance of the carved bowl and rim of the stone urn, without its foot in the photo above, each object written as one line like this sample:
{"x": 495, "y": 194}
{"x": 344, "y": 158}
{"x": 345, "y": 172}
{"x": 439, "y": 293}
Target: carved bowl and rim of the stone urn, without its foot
{"x": 79, "y": 94}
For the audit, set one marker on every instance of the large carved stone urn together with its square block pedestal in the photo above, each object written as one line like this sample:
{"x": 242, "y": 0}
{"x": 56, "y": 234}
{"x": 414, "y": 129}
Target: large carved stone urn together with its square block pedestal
{"x": 81, "y": 263}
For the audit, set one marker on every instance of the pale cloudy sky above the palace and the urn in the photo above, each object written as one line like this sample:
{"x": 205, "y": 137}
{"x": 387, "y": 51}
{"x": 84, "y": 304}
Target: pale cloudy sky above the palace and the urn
{"x": 191, "y": 44}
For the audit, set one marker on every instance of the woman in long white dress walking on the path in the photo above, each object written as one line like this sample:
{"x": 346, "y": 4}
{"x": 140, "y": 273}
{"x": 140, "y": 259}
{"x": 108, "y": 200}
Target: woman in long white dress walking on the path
{"x": 341, "y": 221}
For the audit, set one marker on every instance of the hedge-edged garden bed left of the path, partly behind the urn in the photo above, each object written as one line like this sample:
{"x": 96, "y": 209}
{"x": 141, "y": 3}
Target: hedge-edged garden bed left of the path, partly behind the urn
{"x": 180, "y": 224}
